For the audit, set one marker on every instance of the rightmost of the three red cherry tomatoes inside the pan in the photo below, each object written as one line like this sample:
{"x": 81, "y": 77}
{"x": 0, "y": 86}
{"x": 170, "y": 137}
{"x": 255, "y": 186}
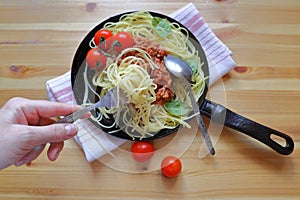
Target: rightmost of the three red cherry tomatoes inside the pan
{"x": 122, "y": 40}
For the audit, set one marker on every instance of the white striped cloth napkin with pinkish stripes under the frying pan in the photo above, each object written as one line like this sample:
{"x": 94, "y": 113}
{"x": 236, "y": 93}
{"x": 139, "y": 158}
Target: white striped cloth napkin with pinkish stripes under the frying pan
{"x": 94, "y": 142}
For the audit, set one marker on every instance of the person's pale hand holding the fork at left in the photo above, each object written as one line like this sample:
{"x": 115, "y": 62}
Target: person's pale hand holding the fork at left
{"x": 26, "y": 126}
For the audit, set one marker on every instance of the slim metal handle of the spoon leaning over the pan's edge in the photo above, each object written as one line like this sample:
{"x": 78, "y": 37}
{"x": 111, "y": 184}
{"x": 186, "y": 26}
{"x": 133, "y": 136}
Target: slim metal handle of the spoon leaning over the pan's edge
{"x": 199, "y": 119}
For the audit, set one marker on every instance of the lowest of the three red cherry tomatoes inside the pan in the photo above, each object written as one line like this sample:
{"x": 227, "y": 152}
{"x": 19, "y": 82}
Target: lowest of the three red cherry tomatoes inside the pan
{"x": 96, "y": 59}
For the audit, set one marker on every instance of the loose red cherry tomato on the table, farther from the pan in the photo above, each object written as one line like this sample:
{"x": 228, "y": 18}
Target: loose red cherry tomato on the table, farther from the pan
{"x": 171, "y": 166}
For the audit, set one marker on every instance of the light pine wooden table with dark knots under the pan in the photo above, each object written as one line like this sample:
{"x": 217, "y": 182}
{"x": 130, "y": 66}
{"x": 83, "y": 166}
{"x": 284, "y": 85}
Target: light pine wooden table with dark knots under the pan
{"x": 39, "y": 38}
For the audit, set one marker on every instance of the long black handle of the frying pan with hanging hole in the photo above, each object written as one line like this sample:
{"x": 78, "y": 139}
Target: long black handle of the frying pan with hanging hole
{"x": 247, "y": 126}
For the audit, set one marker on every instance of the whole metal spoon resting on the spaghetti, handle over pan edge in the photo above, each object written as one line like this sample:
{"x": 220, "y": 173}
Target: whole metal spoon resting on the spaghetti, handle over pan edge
{"x": 181, "y": 69}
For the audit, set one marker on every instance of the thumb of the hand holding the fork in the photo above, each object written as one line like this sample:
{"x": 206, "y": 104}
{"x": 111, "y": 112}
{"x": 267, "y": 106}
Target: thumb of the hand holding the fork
{"x": 52, "y": 133}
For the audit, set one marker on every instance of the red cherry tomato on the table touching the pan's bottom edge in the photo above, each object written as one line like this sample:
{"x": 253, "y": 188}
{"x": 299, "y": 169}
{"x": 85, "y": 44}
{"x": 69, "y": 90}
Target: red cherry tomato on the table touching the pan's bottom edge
{"x": 142, "y": 151}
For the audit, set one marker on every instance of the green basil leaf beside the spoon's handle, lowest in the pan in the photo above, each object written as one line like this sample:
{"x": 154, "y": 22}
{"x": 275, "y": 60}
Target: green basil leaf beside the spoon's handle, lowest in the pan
{"x": 177, "y": 108}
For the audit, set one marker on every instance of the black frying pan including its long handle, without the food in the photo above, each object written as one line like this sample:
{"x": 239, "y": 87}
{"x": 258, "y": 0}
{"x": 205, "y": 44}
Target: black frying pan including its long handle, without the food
{"x": 207, "y": 108}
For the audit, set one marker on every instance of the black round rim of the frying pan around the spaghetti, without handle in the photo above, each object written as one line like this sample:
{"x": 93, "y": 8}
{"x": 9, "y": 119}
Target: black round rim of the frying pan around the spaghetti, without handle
{"x": 79, "y": 58}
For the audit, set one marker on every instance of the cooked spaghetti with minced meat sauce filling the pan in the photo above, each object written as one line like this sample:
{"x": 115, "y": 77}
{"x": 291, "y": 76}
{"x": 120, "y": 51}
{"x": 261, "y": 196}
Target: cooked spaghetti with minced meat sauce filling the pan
{"x": 140, "y": 72}
